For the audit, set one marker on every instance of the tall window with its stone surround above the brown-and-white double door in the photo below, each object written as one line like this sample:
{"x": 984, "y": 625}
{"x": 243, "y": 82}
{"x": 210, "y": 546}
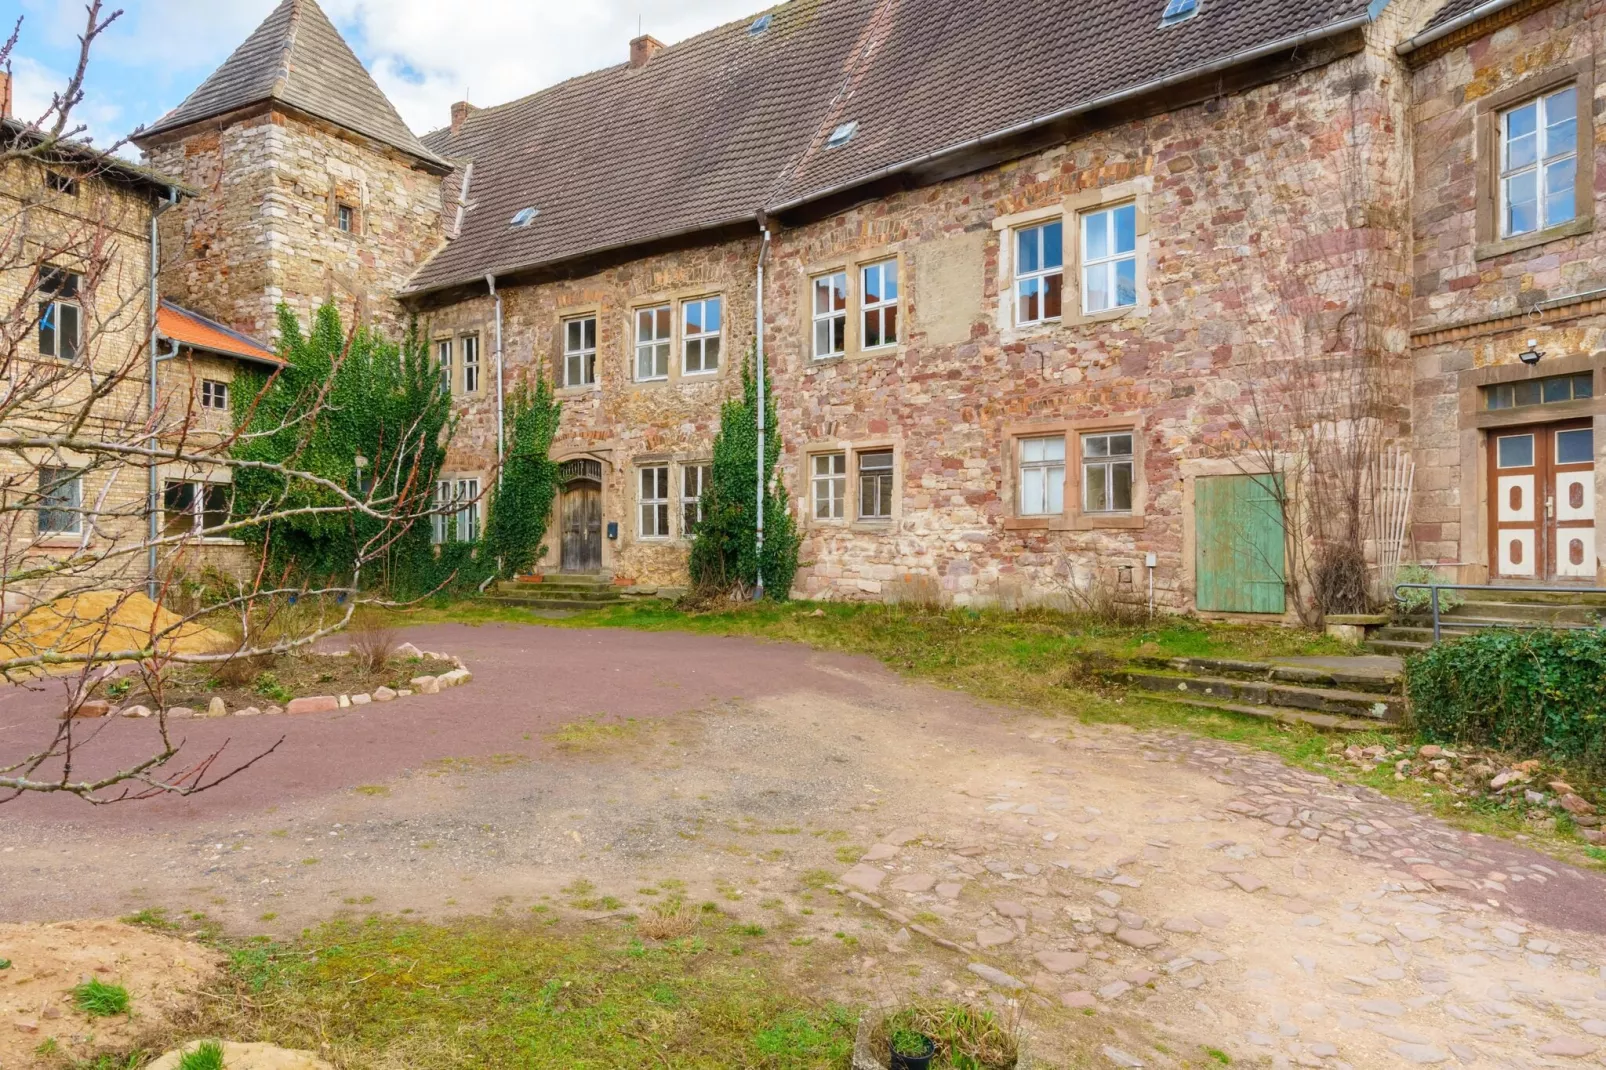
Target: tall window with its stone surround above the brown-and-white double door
{"x": 1536, "y": 134}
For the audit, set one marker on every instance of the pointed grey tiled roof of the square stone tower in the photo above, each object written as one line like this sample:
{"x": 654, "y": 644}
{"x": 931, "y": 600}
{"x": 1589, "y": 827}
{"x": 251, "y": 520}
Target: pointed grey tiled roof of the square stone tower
{"x": 300, "y": 59}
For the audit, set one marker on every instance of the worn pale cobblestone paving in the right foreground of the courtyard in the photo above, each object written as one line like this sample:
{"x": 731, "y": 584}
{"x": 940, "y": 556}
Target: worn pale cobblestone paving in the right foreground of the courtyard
{"x": 1298, "y": 921}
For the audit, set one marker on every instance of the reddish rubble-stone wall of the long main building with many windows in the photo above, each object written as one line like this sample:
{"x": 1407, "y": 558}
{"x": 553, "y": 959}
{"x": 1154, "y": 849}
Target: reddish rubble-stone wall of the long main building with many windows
{"x": 1268, "y": 219}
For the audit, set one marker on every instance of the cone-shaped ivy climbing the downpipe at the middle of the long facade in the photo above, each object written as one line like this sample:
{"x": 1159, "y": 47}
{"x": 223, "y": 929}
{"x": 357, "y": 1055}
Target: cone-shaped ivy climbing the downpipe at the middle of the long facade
{"x": 725, "y": 555}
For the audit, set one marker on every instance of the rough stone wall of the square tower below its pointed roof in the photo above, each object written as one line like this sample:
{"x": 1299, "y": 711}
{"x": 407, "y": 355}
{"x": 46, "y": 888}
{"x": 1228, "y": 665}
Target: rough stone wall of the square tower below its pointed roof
{"x": 266, "y": 224}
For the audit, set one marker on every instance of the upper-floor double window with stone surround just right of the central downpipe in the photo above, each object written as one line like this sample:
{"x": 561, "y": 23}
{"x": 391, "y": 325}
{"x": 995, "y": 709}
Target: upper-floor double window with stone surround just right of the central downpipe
{"x": 857, "y": 306}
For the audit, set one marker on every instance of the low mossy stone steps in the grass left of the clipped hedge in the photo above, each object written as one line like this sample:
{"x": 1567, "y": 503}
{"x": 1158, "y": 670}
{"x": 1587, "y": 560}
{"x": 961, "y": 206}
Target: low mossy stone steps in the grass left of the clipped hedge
{"x": 1337, "y": 693}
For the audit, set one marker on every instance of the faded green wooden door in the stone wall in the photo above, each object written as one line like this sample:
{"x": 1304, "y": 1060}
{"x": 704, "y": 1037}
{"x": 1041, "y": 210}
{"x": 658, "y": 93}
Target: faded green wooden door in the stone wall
{"x": 1239, "y": 544}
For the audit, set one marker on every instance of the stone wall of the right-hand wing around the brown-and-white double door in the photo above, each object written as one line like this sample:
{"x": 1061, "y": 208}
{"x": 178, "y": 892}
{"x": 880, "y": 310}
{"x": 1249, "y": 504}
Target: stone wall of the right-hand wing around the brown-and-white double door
{"x": 1478, "y": 301}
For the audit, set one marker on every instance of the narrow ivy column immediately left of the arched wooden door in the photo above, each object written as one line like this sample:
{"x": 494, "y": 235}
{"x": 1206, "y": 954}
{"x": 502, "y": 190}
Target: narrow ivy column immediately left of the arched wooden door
{"x": 523, "y": 500}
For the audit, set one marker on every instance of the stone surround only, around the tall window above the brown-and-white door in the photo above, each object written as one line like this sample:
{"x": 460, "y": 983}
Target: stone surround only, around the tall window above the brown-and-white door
{"x": 1491, "y": 243}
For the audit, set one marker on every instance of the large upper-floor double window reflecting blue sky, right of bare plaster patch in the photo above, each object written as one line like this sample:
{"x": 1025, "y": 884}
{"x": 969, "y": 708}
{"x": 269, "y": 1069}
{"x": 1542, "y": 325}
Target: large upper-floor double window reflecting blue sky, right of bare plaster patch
{"x": 1077, "y": 263}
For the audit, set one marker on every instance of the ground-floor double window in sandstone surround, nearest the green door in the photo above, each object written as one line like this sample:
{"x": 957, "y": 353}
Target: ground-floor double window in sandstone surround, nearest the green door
{"x": 1098, "y": 489}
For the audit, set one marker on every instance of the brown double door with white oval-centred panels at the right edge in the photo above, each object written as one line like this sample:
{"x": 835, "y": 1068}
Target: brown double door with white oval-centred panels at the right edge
{"x": 1543, "y": 502}
